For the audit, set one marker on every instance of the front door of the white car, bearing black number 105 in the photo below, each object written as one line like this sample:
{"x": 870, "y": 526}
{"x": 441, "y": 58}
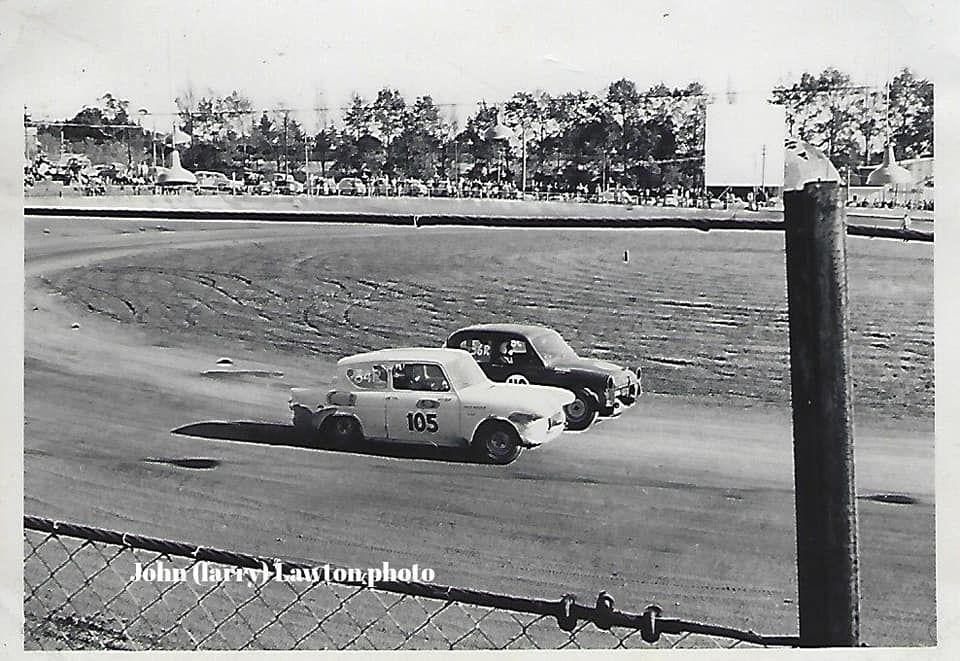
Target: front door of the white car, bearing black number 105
{"x": 422, "y": 407}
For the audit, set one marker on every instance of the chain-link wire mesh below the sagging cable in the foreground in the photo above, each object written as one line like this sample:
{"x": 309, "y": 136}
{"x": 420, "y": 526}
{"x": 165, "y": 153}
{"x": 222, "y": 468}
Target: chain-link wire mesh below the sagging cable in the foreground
{"x": 79, "y": 593}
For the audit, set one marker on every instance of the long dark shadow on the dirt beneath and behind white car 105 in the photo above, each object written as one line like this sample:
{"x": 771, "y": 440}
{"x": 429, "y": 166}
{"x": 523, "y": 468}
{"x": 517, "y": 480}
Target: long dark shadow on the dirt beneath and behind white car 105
{"x": 265, "y": 433}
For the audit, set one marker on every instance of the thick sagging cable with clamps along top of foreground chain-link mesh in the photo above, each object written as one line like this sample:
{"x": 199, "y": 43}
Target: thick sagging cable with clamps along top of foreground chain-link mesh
{"x": 566, "y": 610}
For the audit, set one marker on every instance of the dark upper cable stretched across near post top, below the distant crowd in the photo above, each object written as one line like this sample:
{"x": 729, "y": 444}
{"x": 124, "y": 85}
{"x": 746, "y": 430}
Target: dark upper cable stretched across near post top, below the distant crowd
{"x": 468, "y": 220}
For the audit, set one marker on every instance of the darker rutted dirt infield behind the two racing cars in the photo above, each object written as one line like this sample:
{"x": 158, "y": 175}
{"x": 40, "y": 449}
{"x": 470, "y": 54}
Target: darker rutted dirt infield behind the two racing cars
{"x": 687, "y": 325}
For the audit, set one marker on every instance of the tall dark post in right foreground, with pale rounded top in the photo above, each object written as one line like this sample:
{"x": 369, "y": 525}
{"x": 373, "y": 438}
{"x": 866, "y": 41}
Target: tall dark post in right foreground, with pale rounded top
{"x": 827, "y": 556}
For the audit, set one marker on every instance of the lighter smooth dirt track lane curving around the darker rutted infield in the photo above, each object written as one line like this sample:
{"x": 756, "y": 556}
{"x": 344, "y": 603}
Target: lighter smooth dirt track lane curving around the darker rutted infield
{"x": 679, "y": 502}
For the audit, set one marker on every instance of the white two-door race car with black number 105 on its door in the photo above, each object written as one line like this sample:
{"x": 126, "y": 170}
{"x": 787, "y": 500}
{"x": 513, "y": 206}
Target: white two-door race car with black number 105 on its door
{"x": 436, "y": 396}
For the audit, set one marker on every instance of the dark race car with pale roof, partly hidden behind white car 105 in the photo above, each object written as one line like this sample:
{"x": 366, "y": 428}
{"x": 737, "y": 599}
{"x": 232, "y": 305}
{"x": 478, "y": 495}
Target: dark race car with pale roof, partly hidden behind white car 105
{"x": 514, "y": 353}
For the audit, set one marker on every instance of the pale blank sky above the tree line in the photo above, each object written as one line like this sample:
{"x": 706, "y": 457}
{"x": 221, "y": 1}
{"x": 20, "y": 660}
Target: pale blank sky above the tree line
{"x": 306, "y": 55}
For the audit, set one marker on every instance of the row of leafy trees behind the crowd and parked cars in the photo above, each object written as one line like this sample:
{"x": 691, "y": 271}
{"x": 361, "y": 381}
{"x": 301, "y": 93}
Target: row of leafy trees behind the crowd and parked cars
{"x": 625, "y": 136}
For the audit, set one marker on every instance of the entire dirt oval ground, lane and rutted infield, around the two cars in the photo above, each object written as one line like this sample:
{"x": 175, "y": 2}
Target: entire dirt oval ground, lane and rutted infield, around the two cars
{"x": 686, "y": 500}
